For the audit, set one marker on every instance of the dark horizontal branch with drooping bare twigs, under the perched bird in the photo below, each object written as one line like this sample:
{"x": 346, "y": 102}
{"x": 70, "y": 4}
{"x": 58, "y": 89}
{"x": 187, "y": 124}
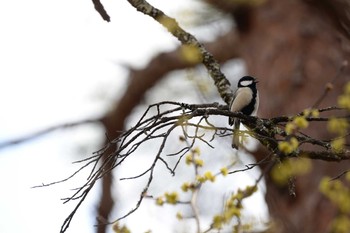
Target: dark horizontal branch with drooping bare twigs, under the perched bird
{"x": 195, "y": 123}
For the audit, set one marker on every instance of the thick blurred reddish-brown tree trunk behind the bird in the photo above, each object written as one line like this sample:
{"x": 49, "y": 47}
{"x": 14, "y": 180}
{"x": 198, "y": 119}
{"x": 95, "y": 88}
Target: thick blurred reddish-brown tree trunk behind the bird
{"x": 295, "y": 48}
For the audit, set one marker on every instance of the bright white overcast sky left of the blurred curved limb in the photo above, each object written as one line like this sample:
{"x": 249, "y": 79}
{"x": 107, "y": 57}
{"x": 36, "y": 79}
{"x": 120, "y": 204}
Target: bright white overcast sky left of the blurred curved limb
{"x": 60, "y": 62}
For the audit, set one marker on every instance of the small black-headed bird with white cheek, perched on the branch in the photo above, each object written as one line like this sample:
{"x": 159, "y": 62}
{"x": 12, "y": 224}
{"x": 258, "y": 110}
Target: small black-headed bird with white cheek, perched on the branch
{"x": 246, "y": 101}
